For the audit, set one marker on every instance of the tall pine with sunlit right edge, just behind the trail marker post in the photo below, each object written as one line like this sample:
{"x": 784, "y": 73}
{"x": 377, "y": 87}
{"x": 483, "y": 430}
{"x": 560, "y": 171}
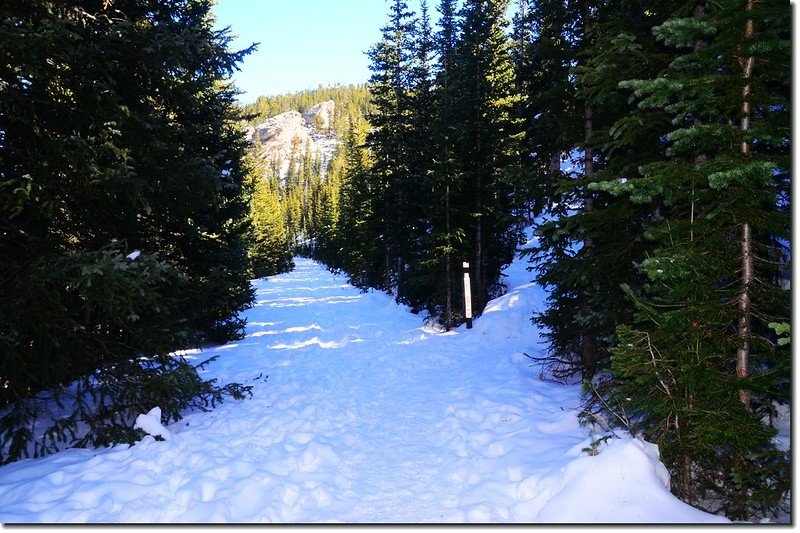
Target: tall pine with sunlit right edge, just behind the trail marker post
{"x": 488, "y": 143}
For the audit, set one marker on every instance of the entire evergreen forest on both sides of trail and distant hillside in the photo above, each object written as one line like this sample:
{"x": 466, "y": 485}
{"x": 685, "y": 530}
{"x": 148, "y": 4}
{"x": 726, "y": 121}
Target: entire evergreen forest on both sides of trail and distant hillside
{"x": 647, "y": 143}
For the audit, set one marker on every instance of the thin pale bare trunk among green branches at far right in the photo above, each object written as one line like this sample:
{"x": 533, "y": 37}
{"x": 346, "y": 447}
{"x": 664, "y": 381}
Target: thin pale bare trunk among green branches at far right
{"x": 748, "y": 274}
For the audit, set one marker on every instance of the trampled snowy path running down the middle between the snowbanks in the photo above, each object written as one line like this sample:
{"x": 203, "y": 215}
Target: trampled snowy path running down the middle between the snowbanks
{"x": 405, "y": 419}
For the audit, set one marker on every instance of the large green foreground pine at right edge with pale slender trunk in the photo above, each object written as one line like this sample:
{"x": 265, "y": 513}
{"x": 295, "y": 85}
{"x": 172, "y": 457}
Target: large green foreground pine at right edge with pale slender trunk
{"x": 700, "y": 370}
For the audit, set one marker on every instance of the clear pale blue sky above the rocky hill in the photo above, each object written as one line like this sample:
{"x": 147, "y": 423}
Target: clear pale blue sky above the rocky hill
{"x": 304, "y": 43}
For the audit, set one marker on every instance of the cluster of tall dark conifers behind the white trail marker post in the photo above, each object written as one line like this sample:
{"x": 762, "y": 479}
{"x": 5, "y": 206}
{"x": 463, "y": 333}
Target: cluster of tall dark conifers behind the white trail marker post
{"x": 441, "y": 186}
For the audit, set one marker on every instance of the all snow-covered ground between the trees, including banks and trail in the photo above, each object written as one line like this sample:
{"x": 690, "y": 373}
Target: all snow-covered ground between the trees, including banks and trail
{"x": 360, "y": 414}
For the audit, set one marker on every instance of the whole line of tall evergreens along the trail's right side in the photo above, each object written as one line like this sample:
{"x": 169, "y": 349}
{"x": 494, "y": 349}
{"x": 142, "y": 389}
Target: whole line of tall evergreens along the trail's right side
{"x": 650, "y": 143}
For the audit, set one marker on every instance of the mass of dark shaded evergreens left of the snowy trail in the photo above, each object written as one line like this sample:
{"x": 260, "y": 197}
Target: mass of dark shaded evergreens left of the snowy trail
{"x": 118, "y": 134}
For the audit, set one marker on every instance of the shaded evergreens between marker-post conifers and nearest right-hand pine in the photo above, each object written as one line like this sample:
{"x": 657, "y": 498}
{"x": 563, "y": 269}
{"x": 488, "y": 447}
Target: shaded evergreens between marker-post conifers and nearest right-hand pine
{"x": 582, "y": 262}
